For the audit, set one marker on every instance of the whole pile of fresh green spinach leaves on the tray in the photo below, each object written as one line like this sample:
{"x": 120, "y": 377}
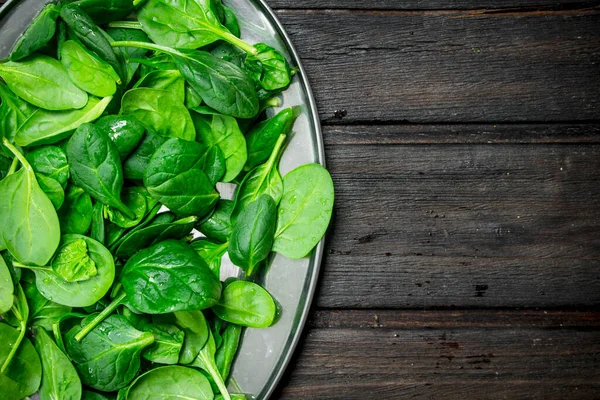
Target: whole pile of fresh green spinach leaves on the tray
{"x": 118, "y": 119}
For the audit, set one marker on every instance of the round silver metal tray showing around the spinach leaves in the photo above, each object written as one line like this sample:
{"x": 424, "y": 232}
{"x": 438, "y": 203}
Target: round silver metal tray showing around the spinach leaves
{"x": 264, "y": 353}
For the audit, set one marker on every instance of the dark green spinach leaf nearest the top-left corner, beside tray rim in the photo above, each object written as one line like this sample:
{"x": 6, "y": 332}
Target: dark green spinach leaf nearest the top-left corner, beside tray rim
{"x": 38, "y": 34}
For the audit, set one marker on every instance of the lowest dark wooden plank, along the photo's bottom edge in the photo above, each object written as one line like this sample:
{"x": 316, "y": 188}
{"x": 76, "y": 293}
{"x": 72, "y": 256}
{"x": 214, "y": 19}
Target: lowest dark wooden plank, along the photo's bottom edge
{"x": 421, "y": 355}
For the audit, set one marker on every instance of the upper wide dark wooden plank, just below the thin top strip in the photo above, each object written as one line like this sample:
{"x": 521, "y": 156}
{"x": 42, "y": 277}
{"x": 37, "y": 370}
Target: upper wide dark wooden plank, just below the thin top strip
{"x": 450, "y": 66}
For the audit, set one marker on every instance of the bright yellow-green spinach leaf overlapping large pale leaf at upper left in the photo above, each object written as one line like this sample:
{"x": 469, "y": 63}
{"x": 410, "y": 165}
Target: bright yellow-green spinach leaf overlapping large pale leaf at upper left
{"x": 86, "y": 71}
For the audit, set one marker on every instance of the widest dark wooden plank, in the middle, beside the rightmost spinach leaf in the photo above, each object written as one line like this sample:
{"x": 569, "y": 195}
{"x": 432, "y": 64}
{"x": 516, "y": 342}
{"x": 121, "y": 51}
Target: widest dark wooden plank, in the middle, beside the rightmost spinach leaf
{"x": 472, "y": 225}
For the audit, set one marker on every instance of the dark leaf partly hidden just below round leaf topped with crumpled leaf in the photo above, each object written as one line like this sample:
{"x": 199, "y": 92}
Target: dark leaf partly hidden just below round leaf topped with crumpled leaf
{"x": 42, "y": 312}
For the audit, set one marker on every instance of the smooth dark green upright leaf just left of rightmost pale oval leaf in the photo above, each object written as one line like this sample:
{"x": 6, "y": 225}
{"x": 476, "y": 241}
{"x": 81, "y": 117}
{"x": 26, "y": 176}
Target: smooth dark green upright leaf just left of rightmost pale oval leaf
{"x": 253, "y": 233}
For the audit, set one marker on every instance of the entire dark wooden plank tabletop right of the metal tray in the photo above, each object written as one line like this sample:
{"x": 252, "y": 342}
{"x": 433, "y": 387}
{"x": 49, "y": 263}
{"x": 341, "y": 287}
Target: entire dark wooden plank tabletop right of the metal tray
{"x": 464, "y": 141}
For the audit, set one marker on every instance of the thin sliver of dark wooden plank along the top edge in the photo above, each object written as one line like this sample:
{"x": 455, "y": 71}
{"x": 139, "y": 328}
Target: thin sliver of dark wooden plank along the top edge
{"x": 427, "y": 4}
